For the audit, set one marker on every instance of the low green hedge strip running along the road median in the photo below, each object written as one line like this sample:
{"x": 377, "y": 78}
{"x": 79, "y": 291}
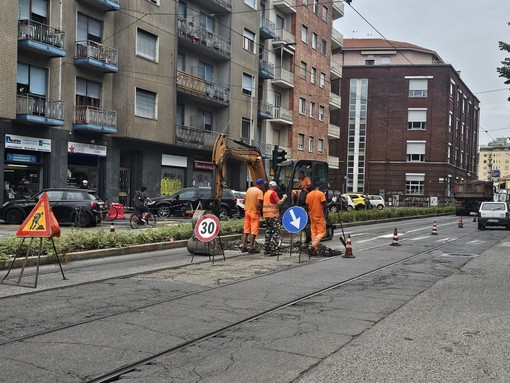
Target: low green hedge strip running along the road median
{"x": 81, "y": 240}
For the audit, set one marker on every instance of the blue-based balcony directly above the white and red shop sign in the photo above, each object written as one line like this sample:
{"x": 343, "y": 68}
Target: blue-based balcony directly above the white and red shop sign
{"x": 94, "y": 120}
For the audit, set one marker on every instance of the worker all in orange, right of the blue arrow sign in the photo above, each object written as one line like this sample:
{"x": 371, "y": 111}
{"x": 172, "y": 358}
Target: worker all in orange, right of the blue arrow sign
{"x": 315, "y": 203}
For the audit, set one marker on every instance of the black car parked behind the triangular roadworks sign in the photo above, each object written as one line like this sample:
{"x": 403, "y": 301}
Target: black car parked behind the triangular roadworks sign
{"x": 65, "y": 203}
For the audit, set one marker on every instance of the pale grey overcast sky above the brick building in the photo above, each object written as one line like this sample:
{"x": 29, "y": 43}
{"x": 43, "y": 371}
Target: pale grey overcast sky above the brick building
{"x": 464, "y": 33}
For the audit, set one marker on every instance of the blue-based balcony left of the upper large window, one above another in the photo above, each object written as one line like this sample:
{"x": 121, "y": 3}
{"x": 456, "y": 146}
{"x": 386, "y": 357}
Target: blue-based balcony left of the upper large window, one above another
{"x": 96, "y": 56}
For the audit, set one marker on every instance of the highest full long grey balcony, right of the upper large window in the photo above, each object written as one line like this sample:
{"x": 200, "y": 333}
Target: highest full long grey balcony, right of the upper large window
{"x": 197, "y": 37}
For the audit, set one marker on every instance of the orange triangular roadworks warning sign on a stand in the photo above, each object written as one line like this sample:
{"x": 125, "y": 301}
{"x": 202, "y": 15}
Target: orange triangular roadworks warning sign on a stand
{"x": 41, "y": 221}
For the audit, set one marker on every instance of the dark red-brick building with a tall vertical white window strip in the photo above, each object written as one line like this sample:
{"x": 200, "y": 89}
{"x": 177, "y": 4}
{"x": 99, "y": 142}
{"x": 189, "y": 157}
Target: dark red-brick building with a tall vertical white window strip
{"x": 410, "y": 123}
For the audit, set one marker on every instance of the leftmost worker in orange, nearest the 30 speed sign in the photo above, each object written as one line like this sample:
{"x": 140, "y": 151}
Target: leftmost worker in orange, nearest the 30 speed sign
{"x": 252, "y": 210}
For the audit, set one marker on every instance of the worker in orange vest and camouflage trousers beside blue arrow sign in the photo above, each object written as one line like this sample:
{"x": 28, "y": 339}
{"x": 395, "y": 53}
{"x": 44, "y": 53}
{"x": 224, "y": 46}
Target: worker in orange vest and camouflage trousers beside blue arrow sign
{"x": 271, "y": 213}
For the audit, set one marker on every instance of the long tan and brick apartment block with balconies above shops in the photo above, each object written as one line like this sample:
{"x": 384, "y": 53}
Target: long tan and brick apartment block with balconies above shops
{"x": 124, "y": 96}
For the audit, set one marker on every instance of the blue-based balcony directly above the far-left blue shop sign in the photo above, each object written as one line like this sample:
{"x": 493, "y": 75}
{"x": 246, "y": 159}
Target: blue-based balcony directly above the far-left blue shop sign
{"x": 40, "y": 110}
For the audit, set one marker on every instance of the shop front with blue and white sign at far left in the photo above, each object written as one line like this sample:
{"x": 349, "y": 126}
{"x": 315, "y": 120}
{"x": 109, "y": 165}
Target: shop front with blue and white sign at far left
{"x": 23, "y": 165}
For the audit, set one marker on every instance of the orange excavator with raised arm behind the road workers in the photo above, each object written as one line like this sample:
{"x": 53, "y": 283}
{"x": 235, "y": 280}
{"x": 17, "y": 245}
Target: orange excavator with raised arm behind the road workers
{"x": 287, "y": 175}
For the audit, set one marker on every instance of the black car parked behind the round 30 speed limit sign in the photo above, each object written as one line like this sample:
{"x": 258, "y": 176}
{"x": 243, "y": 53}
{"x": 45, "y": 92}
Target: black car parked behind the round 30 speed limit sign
{"x": 175, "y": 203}
